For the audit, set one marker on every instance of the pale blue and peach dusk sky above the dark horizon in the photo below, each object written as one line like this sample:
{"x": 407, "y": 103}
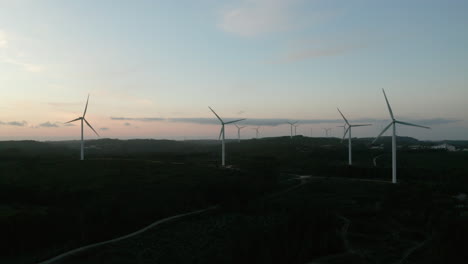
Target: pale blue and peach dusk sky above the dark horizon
{"x": 152, "y": 68}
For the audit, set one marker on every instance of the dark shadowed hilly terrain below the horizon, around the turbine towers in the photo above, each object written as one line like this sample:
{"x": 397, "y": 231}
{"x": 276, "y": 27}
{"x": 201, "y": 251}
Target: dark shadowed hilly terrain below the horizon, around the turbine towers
{"x": 51, "y": 203}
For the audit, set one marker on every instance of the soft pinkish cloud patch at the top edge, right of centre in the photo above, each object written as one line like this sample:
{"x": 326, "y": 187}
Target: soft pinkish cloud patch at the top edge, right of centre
{"x": 254, "y": 17}
